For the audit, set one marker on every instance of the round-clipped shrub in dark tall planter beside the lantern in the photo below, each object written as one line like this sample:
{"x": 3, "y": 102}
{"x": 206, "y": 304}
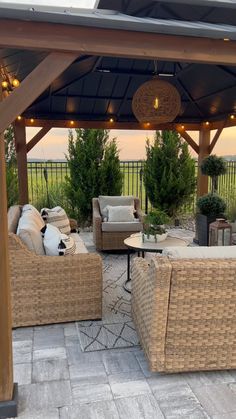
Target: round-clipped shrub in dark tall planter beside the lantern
{"x": 210, "y": 207}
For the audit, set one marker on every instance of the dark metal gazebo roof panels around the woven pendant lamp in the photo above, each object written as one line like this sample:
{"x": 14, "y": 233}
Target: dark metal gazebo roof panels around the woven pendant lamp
{"x": 98, "y": 88}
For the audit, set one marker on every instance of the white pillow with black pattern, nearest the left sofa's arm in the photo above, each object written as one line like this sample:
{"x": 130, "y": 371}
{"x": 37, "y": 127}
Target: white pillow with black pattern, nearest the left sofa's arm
{"x": 57, "y": 243}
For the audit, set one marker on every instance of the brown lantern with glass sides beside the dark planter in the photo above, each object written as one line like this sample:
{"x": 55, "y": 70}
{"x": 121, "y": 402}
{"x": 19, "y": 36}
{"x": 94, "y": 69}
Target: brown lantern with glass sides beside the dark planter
{"x": 220, "y": 233}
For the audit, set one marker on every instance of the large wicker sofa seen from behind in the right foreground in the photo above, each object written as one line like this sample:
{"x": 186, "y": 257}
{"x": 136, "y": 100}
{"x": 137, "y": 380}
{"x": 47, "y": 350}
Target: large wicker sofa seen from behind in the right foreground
{"x": 185, "y": 310}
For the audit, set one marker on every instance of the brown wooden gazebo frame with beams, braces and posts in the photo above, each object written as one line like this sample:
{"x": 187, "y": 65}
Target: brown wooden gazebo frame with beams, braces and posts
{"x": 63, "y": 45}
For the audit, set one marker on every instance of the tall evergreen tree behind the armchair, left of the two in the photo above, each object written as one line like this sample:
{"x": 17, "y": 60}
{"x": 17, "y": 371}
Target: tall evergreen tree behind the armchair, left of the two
{"x": 91, "y": 160}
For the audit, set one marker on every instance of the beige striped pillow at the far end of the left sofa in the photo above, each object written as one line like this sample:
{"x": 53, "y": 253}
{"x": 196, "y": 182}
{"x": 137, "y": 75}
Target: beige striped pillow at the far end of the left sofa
{"x": 57, "y": 217}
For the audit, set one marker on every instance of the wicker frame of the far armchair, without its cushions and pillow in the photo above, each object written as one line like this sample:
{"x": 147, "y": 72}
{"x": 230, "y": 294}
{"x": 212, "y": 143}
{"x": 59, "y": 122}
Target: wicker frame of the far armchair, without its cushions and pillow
{"x": 111, "y": 240}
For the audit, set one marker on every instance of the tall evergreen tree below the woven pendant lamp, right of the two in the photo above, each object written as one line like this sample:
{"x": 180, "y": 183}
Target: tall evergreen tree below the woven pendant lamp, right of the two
{"x": 169, "y": 172}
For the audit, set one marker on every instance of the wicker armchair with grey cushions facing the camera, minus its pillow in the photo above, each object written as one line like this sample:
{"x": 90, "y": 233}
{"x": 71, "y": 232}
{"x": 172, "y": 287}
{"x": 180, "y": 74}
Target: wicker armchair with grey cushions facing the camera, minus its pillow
{"x": 111, "y": 236}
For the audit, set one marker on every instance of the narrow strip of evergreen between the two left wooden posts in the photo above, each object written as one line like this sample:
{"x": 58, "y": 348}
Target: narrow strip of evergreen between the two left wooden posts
{"x": 11, "y": 172}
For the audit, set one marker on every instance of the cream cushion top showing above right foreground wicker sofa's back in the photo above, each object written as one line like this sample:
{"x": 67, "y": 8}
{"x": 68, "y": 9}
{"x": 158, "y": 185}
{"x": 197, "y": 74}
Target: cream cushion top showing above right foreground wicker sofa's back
{"x": 201, "y": 252}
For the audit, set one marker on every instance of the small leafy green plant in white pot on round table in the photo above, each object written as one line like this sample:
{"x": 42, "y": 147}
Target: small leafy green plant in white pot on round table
{"x": 154, "y": 226}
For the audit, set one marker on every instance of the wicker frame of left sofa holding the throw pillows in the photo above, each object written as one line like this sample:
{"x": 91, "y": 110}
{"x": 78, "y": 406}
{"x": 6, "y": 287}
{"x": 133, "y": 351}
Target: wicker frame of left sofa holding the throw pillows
{"x": 52, "y": 289}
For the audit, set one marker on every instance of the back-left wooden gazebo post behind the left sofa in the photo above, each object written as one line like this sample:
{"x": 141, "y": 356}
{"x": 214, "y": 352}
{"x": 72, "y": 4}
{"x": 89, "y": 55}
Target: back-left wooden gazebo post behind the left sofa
{"x": 21, "y": 154}
